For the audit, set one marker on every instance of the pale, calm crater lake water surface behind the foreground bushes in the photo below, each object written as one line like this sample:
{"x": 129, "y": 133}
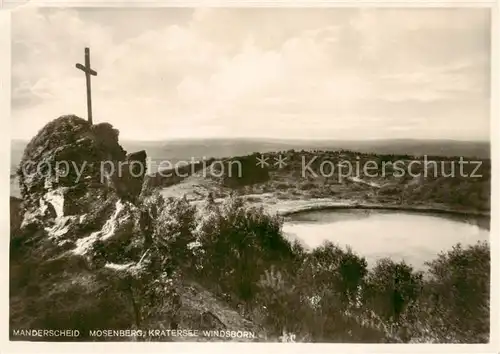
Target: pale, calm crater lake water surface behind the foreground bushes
{"x": 374, "y": 234}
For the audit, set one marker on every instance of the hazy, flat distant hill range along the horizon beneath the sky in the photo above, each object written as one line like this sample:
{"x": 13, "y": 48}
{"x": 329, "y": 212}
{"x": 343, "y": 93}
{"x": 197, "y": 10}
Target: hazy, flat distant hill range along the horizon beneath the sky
{"x": 185, "y": 149}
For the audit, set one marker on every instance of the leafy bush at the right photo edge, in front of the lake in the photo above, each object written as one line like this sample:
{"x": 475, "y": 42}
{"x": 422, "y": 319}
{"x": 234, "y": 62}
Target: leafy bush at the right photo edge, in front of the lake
{"x": 456, "y": 302}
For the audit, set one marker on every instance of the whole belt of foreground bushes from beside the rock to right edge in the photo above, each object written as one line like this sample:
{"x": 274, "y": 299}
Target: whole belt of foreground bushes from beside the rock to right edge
{"x": 328, "y": 294}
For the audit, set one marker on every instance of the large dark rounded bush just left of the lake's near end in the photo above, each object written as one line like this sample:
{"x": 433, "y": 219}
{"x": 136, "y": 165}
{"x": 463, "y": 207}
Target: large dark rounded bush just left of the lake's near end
{"x": 238, "y": 244}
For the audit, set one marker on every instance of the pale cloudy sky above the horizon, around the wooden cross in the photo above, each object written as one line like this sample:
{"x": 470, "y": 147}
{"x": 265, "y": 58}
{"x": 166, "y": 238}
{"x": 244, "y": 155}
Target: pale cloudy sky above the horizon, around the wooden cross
{"x": 341, "y": 73}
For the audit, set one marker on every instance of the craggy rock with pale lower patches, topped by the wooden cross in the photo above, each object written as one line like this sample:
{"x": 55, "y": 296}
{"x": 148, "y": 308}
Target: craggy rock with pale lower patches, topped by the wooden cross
{"x": 74, "y": 193}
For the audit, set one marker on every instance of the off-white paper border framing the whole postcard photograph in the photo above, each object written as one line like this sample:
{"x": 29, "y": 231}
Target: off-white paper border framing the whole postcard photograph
{"x": 6, "y": 346}
